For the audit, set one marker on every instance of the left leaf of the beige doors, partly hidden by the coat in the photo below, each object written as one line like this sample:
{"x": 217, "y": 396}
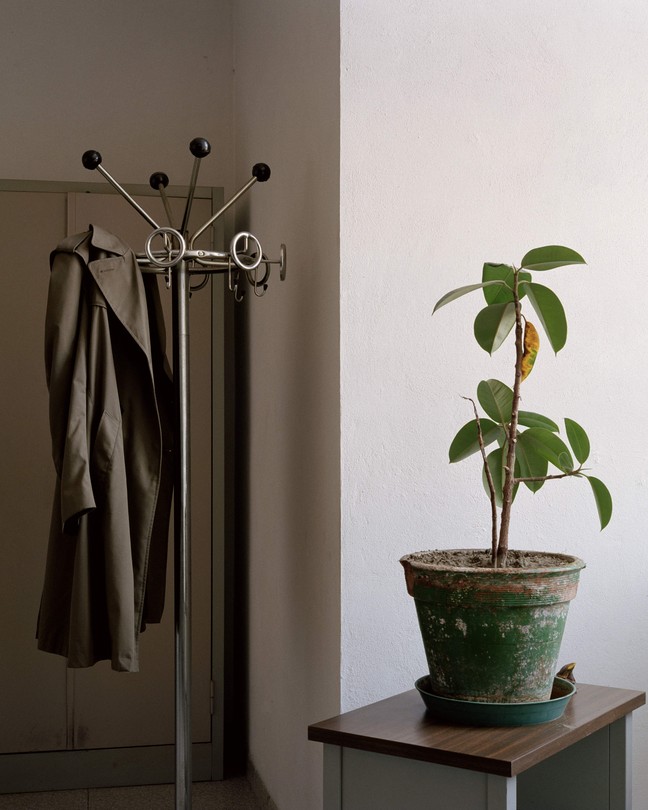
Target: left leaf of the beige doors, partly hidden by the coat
{"x": 32, "y": 684}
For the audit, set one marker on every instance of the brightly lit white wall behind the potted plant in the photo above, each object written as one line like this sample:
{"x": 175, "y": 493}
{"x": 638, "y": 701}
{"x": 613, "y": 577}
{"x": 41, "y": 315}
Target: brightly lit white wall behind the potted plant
{"x": 472, "y": 132}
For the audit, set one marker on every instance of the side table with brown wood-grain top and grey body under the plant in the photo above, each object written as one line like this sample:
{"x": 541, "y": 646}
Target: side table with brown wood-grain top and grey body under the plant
{"x": 394, "y": 755}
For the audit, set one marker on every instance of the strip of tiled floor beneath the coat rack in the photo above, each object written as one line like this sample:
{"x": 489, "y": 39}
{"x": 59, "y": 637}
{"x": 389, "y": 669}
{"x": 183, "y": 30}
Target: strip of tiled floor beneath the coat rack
{"x": 232, "y": 794}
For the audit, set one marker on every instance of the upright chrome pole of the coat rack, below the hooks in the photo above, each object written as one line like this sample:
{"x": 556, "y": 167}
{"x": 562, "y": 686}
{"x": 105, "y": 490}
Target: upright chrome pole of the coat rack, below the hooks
{"x": 182, "y": 535}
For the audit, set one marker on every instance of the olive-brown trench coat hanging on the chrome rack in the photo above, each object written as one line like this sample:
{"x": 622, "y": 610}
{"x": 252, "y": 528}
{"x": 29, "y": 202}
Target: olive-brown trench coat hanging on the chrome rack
{"x": 111, "y": 426}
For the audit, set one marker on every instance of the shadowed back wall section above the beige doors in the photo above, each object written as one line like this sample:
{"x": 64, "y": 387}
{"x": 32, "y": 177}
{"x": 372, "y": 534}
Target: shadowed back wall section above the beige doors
{"x": 134, "y": 80}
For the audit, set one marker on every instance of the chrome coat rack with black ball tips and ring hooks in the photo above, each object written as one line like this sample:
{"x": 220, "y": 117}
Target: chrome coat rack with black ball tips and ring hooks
{"x": 171, "y": 252}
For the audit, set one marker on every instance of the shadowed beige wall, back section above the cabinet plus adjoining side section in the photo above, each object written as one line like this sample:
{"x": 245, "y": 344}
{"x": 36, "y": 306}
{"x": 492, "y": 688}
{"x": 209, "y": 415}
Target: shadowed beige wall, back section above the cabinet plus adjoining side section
{"x": 137, "y": 81}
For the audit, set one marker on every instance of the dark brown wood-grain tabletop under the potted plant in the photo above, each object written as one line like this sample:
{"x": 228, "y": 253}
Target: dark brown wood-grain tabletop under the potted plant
{"x": 401, "y": 726}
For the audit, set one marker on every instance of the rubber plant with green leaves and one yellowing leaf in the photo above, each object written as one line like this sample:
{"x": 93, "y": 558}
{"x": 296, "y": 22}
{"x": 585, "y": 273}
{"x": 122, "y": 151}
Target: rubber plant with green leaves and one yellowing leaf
{"x": 526, "y": 442}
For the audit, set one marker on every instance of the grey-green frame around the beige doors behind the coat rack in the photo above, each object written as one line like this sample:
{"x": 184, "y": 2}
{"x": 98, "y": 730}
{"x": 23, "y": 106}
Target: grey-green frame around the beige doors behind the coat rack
{"x": 155, "y": 764}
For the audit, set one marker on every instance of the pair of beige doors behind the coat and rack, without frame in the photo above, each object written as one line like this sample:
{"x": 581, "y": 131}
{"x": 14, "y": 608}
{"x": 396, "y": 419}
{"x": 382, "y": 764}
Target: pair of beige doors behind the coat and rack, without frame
{"x": 104, "y": 716}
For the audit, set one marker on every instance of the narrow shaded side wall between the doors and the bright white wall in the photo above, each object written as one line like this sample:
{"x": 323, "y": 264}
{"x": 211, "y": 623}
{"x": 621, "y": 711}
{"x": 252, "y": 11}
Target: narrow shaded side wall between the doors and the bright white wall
{"x": 287, "y": 114}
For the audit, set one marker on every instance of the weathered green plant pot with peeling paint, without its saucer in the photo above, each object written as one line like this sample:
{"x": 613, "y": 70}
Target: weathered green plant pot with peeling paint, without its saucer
{"x": 492, "y": 634}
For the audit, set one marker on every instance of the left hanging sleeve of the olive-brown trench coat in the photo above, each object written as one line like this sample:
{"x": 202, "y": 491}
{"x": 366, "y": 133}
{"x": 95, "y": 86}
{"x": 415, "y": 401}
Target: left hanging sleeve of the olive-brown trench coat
{"x": 65, "y": 366}
